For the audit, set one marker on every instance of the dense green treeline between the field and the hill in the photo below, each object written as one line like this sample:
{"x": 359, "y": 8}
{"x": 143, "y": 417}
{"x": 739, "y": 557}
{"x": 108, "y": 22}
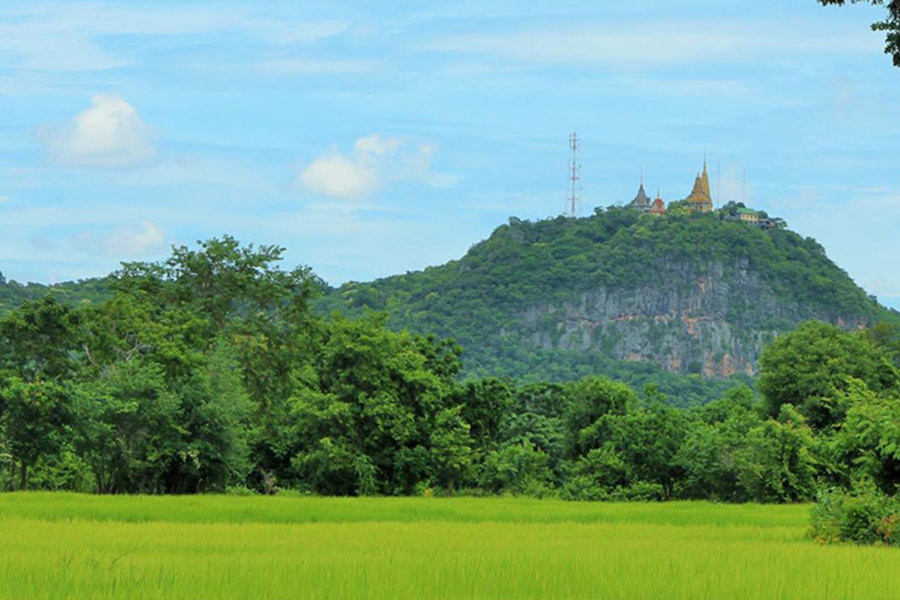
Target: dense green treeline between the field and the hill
{"x": 209, "y": 372}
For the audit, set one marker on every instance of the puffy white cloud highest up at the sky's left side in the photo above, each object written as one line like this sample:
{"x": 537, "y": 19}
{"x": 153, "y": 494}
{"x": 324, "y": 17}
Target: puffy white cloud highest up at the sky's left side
{"x": 109, "y": 134}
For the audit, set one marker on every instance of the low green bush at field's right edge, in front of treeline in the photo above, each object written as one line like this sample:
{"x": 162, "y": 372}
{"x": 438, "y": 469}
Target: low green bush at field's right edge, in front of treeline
{"x": 862, "y": 516}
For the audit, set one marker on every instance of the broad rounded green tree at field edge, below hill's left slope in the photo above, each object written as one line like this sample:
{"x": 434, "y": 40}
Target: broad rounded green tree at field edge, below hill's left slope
{"x": 379, "y": 415}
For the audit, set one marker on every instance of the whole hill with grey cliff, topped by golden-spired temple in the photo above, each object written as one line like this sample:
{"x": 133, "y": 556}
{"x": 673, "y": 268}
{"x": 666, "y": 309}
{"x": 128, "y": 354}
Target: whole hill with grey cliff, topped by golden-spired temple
{"x": 560, "y": 298}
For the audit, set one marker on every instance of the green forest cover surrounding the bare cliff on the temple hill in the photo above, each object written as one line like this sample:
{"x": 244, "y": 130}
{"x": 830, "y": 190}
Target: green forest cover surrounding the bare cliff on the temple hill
{"x": 479, "y": 300}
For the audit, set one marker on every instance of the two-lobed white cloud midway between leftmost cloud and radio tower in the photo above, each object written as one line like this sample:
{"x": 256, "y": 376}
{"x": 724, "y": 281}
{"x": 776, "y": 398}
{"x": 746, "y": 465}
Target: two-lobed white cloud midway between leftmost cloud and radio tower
{"x": 376, "y": 160}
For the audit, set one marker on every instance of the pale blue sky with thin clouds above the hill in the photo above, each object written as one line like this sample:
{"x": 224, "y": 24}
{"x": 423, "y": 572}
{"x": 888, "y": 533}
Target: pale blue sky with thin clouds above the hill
{"x": 375, "y": 138}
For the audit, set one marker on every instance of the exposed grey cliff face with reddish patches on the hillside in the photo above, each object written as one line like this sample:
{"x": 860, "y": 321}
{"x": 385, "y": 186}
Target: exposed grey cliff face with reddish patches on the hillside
{"x": 714, "y": 322}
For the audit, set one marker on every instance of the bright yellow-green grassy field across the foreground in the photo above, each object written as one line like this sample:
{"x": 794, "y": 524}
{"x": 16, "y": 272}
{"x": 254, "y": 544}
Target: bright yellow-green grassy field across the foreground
{"x": 75, "y": 546}
